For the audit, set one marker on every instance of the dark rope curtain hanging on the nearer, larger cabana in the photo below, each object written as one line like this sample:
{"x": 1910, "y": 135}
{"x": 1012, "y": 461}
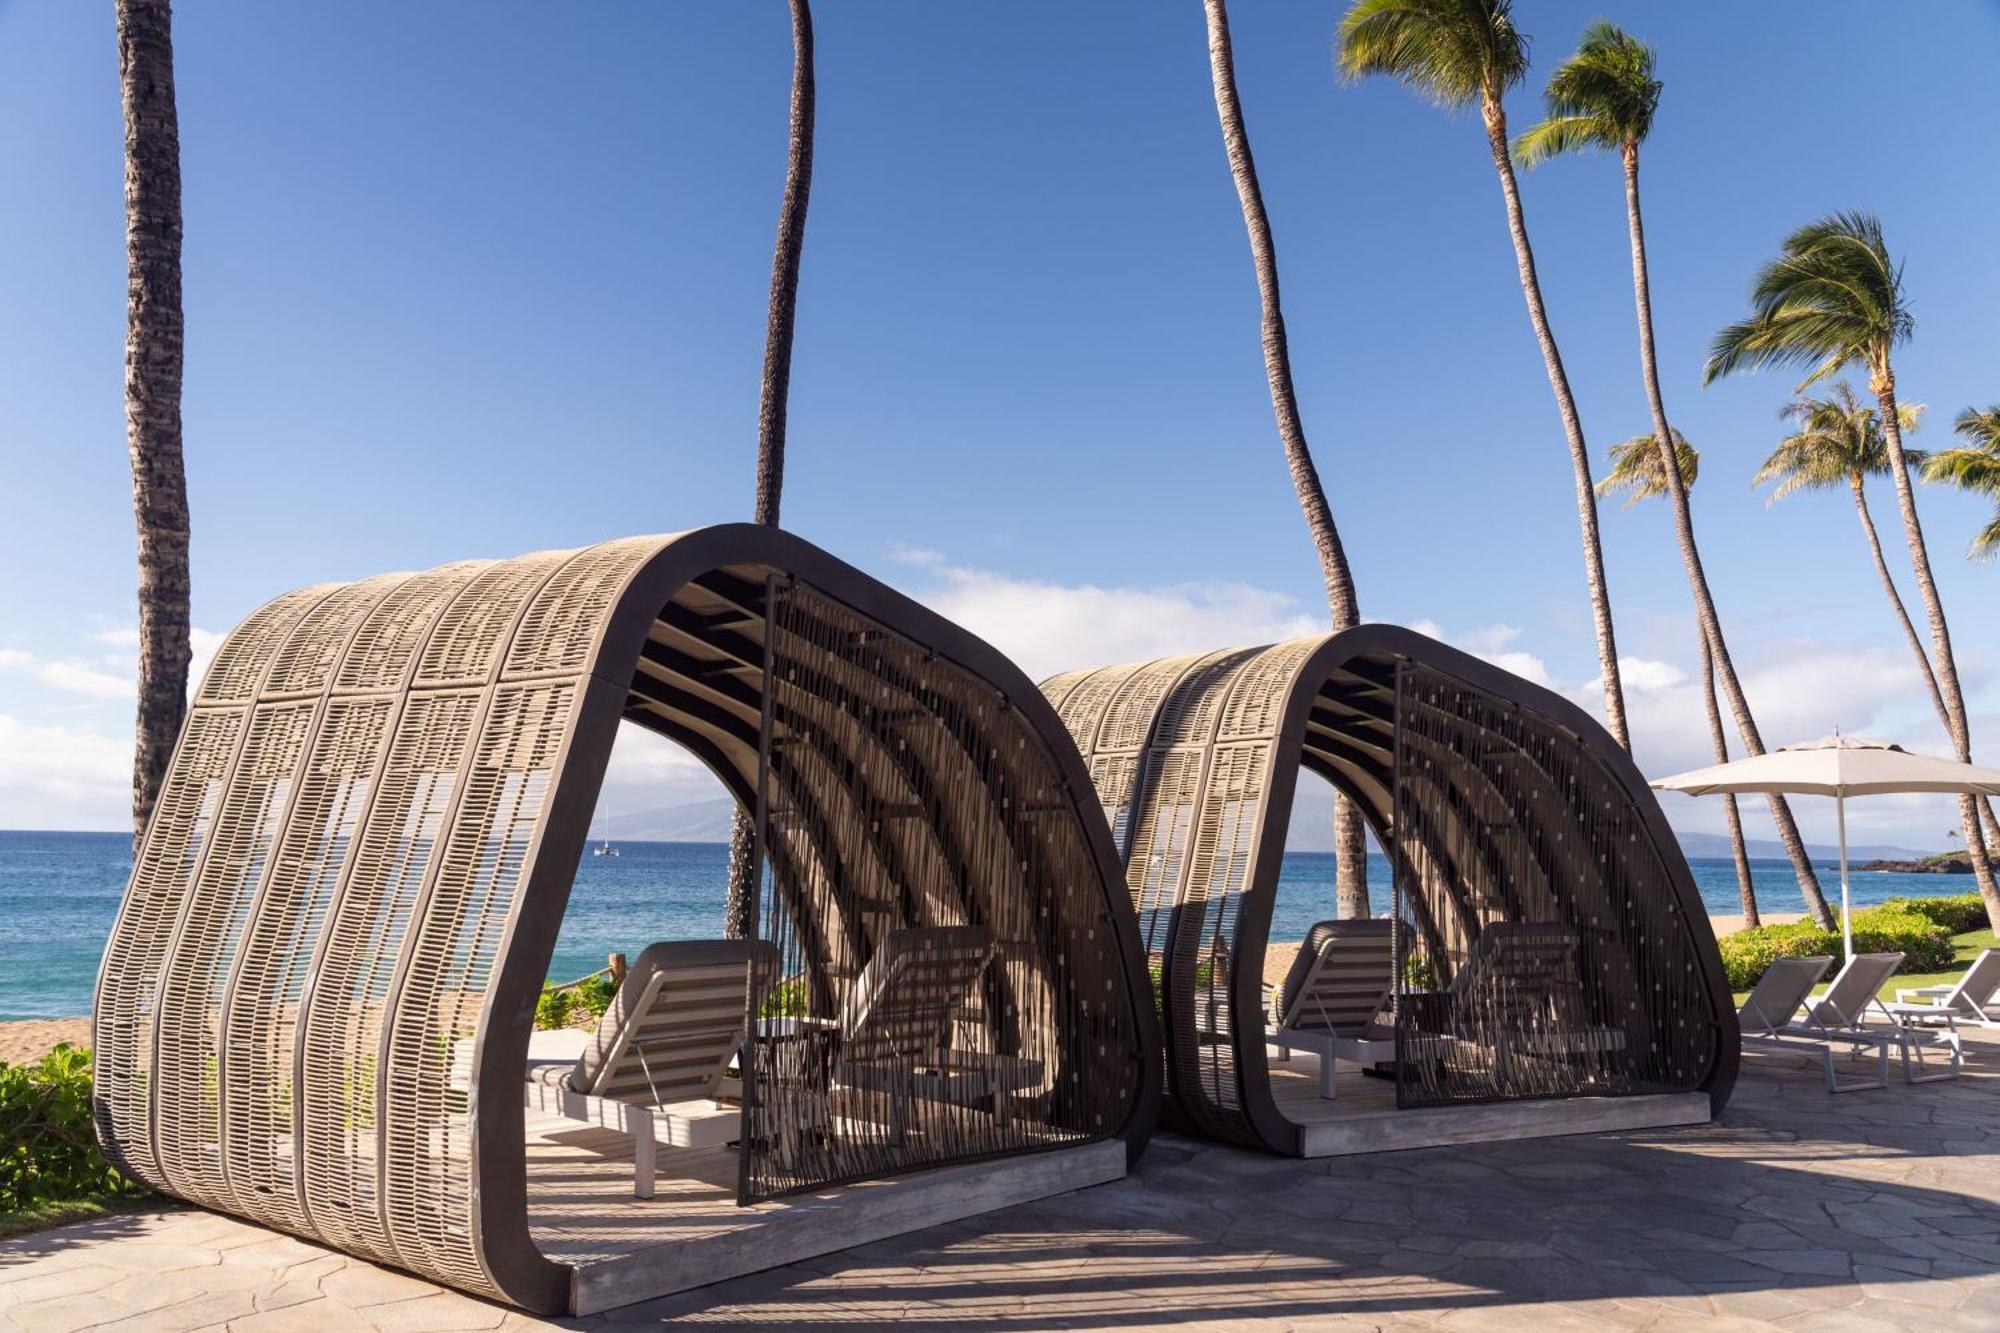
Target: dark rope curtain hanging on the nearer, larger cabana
{"x": 949, "y": 984}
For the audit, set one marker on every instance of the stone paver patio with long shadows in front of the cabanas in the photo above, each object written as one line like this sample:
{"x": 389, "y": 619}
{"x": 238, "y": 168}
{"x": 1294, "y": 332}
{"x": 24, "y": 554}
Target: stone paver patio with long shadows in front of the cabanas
{"x": 1799, "y": 1210}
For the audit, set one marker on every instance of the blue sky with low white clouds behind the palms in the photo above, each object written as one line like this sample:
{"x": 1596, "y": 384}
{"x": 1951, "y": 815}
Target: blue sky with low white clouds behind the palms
{"x": 485, "y": 279}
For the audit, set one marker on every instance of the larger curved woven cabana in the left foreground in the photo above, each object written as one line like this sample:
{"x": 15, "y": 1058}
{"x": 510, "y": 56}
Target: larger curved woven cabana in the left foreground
{"x": 315, "y": 1008}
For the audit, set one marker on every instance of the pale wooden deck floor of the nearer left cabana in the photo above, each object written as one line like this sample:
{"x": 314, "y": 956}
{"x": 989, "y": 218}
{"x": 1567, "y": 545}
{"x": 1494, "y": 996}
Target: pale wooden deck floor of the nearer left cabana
{"x": 623, "y": 1250}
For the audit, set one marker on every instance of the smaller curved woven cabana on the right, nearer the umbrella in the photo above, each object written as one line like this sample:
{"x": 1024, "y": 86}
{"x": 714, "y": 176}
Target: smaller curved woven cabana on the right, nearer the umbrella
{"x": 1547, "y": 970}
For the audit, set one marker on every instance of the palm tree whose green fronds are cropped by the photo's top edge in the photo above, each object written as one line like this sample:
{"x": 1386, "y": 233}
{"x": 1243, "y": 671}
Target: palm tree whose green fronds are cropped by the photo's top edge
{"x": 1459, "y": 53}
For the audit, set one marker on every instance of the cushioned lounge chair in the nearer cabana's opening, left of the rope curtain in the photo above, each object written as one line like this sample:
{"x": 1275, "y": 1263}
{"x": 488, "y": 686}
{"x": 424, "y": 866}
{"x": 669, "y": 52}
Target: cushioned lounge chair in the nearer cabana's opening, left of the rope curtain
{"x": 657, "y": 1062}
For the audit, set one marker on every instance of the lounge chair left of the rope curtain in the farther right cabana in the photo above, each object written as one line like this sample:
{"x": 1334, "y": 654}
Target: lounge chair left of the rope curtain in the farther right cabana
{"x": 1329, "y": 1004}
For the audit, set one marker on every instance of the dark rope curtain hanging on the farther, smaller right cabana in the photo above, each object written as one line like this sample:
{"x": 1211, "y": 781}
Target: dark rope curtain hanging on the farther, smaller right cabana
{"x": 1549, "y": 956}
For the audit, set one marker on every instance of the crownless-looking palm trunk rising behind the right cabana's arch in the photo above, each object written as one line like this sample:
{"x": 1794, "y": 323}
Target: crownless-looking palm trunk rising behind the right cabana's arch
{"x": 1351, "y": 848}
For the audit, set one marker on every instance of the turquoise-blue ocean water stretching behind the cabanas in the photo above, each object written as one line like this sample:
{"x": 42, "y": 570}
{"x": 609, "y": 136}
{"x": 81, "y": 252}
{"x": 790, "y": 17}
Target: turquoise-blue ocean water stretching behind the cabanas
{"x": 59, "y": 894}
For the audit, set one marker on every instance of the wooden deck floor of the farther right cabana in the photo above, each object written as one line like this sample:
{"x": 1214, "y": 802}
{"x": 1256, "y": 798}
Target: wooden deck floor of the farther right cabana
{"x": 1363, "y": 1118}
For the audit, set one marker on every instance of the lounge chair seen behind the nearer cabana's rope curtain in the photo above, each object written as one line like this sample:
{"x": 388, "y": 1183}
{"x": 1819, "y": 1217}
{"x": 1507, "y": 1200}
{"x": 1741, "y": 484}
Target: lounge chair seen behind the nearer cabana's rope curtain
{"x": 899, "y": 1020}
